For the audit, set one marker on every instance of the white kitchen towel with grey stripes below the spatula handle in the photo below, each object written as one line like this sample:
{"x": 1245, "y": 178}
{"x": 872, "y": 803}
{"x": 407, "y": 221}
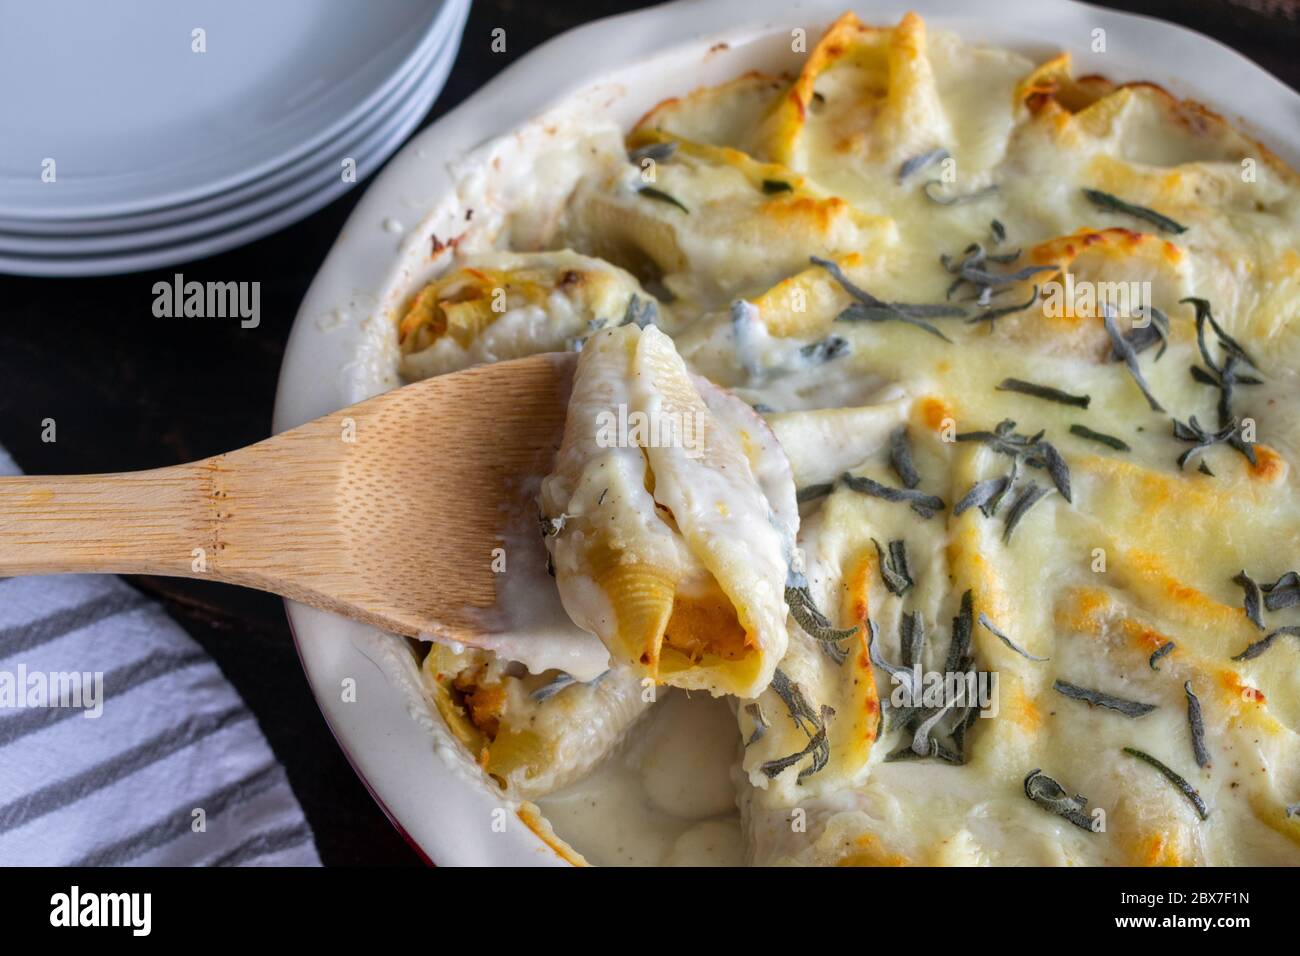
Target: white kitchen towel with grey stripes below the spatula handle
{"x": 123, "y": 745}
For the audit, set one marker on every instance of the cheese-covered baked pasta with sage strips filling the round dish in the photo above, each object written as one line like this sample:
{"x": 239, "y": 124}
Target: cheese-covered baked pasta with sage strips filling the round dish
{"x": 721, "y": 207}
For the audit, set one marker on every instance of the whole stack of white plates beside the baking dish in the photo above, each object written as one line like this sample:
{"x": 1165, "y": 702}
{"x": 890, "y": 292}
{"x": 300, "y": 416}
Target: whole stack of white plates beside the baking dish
{"x": 141, "y": 135}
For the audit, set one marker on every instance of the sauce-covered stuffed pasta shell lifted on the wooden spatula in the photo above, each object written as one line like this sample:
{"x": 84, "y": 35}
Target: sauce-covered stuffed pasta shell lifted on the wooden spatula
{"x": 666, "y": 546}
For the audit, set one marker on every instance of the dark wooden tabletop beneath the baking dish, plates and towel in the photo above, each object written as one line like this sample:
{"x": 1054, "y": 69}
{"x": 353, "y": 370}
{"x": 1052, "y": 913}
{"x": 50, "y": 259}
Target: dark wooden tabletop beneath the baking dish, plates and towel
{"x": 129, "y": 391}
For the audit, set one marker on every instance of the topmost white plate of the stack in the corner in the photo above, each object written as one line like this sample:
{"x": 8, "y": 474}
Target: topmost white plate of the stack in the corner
{"x": 144, "y": 122}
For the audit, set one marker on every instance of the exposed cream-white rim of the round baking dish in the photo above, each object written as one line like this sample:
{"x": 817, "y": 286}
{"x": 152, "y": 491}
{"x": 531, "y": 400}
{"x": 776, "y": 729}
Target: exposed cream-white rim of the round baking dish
{"x": 618, "y": 68}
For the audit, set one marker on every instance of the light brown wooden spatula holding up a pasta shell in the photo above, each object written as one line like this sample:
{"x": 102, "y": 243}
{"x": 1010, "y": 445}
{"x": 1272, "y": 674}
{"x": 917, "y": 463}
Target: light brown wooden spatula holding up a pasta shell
{"x": 387, "y": 512}
